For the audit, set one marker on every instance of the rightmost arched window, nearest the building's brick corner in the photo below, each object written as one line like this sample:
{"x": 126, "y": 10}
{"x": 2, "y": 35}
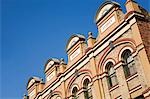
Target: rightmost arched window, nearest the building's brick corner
{"x": 128, "y": 63}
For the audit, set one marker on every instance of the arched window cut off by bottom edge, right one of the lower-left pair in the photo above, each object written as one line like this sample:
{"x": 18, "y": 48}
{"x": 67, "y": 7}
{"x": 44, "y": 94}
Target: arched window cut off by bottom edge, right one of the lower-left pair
{"x": 87, "y": 90}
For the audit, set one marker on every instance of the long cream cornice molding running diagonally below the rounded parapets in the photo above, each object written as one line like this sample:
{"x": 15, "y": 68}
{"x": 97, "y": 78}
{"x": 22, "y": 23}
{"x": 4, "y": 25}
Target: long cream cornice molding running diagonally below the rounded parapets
{"x": 99, "y": 47}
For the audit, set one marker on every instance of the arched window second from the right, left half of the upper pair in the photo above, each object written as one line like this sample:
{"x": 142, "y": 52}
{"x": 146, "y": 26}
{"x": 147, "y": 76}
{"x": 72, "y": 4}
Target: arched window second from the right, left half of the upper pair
{"x": 112, "y": 78}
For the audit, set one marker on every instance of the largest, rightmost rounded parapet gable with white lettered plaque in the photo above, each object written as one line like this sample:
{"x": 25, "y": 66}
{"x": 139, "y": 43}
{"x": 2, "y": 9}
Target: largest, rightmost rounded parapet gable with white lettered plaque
{"x": 108, "y": 17}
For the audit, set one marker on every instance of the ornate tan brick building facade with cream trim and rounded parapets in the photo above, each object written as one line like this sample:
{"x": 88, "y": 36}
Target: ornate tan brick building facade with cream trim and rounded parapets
{"x": 114, "y": 65}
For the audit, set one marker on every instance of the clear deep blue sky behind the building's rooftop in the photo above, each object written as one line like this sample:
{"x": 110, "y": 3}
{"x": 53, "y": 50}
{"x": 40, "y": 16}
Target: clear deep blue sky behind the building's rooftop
{"x": 34, "y": 31}
